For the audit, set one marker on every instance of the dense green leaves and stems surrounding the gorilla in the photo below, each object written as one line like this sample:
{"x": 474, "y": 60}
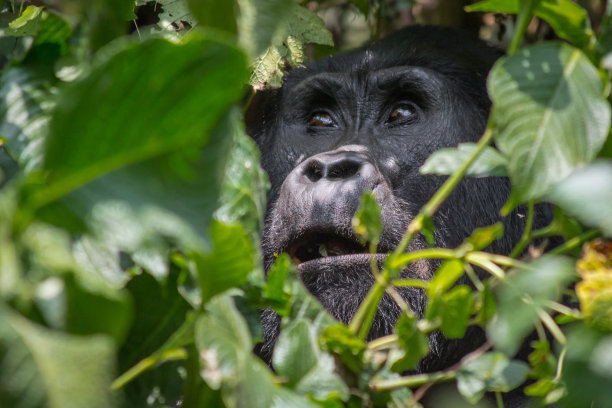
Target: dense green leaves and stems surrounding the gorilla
{"x": 131, "y": 203}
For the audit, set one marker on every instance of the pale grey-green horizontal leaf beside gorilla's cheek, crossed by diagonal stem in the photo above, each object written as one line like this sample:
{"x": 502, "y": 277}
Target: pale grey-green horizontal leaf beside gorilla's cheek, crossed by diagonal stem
{"x": 447, "y": 161}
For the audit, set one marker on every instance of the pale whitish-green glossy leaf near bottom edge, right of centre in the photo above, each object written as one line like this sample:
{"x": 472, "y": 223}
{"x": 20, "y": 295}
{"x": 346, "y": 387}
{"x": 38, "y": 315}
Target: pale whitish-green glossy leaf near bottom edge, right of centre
{"x": 489, "y": 372}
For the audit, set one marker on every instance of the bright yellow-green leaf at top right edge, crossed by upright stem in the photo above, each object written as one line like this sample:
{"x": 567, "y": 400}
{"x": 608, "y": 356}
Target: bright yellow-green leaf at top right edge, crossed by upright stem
{"x": 568, "y": 19}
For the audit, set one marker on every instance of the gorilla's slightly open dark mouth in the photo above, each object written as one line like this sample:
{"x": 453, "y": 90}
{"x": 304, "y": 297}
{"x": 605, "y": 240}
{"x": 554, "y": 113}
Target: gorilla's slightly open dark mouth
{"x": 323, "y": 245}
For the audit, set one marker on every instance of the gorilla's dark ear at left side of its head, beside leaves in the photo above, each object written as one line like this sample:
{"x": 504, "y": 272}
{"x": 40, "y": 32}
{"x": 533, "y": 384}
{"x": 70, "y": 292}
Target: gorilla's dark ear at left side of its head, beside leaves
{"x": 261, "y": 113}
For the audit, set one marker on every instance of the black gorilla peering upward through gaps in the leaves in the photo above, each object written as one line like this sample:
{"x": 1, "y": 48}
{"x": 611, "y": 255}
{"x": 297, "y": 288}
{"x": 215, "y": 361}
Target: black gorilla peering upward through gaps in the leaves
{"x": 366, "y": 120}
